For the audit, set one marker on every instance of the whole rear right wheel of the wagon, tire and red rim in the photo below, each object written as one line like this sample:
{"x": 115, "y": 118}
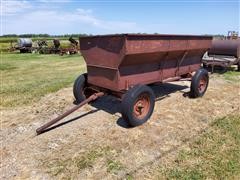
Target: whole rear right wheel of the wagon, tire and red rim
{"x": 199, "y": 83}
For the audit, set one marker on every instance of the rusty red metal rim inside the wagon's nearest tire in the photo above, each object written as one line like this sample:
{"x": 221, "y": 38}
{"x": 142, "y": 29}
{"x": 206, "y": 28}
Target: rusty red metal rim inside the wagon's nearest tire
{"x": 141, "y": 106}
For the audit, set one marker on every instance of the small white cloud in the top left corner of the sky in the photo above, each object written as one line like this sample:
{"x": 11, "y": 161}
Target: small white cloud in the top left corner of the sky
{"x": 13, "y": 7}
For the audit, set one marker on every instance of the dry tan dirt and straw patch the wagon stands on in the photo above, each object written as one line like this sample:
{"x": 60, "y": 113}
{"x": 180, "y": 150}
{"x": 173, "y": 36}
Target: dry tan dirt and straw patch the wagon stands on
{"x": 95, "y": 142}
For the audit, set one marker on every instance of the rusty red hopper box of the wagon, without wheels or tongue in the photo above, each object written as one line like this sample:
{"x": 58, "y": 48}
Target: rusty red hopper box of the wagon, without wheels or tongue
{"x": 117, "y": 62}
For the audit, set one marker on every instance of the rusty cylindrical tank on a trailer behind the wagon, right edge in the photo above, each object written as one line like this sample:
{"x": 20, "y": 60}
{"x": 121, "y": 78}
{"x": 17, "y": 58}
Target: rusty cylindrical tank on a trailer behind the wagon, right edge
{"x": 224, "y": 52}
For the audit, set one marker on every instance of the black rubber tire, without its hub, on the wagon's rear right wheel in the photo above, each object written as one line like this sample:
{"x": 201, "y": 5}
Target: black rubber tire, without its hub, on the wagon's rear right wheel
{"x": 195, "y": 93}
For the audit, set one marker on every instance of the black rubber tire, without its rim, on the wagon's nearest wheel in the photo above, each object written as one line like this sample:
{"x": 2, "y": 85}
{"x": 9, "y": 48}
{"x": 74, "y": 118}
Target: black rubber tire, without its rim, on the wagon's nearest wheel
{"x": 128, "y": 102}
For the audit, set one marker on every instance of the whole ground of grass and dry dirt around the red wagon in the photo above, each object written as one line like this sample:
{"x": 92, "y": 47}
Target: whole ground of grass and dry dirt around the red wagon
{"x": 184, "y": 139}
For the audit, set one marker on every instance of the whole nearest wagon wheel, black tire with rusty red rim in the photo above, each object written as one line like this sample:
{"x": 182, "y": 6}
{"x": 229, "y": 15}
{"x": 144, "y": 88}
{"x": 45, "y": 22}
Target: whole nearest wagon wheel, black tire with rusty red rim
{"x": 138, "y": 104}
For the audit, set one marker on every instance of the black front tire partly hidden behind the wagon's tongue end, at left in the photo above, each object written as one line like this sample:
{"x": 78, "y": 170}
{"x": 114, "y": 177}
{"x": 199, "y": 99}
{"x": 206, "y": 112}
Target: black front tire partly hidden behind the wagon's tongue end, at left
{"x": 78, "y": 88}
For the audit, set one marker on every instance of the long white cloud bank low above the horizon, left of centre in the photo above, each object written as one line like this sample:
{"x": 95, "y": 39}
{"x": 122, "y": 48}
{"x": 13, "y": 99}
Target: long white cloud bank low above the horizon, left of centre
{"x": 60, "y": 22}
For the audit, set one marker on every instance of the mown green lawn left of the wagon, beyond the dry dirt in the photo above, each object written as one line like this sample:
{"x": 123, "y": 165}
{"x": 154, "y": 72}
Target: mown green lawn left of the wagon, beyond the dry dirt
{"x": 25, "y": 78}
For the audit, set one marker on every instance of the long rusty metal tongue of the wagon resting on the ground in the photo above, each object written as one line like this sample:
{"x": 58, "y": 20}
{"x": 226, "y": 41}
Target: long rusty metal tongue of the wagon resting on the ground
{"x": 50, "y": 123}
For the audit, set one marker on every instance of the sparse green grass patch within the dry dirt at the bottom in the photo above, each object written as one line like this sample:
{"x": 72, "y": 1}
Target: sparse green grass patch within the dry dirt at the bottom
{"x": 69, "y": 167}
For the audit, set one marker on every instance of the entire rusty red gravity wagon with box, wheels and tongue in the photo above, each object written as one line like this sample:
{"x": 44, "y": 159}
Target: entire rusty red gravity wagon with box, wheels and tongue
{"x": 124, "y": 65}
